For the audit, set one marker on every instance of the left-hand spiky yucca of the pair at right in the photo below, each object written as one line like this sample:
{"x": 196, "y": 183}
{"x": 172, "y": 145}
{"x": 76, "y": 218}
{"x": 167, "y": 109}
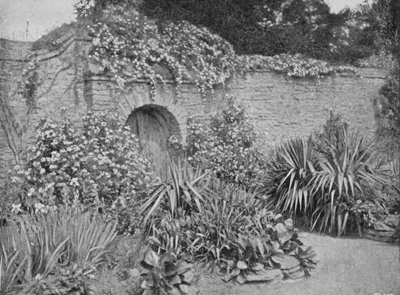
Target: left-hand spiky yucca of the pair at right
{"x": 289, "y": 173}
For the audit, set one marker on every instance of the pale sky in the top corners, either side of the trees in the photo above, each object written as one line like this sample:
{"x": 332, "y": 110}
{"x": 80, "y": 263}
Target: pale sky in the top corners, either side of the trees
{"x": 28, "y": 20}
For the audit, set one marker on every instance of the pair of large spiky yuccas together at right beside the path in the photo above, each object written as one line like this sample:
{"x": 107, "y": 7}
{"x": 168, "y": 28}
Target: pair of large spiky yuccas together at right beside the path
{"x": 324, "y": 178}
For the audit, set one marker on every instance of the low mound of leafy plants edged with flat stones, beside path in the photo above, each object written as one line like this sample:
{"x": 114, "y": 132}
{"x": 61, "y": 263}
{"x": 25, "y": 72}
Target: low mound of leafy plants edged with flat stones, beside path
{"x": 233, "y": 231}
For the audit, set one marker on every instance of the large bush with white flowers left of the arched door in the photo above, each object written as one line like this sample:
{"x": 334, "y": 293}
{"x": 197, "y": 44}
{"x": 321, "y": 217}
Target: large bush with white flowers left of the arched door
{"x": 99, "y": 166}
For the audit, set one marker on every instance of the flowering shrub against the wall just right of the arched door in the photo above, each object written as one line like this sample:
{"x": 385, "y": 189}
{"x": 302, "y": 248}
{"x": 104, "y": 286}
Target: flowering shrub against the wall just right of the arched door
{"x": 227, "y": 145}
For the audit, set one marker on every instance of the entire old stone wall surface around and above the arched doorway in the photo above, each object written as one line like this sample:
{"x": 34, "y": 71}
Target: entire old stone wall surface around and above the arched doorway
{"x": 282, "y": 107}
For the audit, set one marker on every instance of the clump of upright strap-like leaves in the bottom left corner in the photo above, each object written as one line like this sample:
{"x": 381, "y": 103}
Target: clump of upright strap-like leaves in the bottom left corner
{"x": 58, "y": 252}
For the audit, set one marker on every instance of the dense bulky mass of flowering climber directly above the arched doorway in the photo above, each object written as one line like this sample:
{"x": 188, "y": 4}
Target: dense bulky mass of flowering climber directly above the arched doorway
{"x": 128, "y": 45}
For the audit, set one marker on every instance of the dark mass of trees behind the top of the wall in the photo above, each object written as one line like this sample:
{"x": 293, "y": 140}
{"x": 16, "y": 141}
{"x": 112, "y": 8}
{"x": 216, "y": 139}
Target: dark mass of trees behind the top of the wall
{"x": 270, "y": 27}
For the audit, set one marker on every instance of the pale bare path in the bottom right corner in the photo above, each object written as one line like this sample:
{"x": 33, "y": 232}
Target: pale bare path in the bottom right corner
{"x": 347, "y": 266}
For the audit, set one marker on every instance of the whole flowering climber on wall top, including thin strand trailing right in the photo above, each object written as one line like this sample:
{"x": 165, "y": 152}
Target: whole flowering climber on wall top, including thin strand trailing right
{"x": 129, "y": 46}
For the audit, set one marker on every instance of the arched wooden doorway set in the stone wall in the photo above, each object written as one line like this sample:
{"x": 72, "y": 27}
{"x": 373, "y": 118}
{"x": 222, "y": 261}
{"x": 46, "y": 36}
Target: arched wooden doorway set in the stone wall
{"x": 153, "y": 125}
